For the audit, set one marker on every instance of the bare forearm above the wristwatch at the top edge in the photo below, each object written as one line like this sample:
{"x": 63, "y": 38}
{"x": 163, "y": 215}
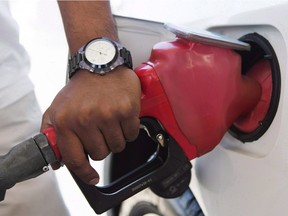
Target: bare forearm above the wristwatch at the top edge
{"x": 85, "y": 20}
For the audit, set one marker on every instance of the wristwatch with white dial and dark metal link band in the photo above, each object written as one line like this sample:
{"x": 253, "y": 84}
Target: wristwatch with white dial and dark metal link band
{"x": 100, "y": 56}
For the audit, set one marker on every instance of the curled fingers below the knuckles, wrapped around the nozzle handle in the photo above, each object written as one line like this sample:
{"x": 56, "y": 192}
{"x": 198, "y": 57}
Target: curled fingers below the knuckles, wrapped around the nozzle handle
{"x": 73, "y": 148}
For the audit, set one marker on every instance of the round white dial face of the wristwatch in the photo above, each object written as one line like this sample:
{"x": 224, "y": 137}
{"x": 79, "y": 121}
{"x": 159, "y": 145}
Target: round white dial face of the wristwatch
{"x": 100, "y": 52}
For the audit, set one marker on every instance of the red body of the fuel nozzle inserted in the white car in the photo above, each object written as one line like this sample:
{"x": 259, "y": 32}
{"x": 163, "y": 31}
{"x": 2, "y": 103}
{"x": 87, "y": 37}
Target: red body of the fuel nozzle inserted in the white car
{"x": 196, "y": 91}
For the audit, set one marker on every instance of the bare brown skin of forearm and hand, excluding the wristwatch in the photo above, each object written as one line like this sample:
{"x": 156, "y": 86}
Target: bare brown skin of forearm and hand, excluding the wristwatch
{"x": 92, "y": 114}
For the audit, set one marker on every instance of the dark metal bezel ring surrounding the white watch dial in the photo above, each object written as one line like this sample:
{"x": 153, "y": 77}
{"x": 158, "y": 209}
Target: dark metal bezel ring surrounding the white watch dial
{"x": 102, "y": 68}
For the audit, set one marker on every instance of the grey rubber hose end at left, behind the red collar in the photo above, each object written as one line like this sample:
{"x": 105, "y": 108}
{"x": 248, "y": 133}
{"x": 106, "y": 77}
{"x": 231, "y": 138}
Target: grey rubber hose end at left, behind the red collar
{"x": 24, "y": 161}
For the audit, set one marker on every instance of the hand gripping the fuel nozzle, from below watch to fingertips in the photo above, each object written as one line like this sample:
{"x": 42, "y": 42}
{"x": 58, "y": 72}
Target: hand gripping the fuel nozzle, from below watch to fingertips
{"x": 94, "y": 114}
